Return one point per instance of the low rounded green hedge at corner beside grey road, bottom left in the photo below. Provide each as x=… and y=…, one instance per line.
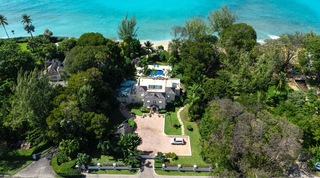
x=64, y=169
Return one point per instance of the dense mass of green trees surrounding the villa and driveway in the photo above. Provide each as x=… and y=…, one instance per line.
x=246, y=119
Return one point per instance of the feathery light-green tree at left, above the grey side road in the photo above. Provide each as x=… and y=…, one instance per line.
x=31, y=104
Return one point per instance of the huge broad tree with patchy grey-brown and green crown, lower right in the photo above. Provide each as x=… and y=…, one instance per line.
x=250, y=144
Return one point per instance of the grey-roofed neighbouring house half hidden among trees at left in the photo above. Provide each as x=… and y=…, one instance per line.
x=54, y=70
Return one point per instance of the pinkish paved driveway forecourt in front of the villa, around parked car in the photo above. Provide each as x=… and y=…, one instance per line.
x=151, y=131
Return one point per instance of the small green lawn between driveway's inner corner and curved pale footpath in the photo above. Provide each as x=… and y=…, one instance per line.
x=172, y=123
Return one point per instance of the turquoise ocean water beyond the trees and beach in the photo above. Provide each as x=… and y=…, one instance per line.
x=155, y=18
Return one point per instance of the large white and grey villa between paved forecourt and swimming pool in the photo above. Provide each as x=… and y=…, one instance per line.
x=156, y=90
